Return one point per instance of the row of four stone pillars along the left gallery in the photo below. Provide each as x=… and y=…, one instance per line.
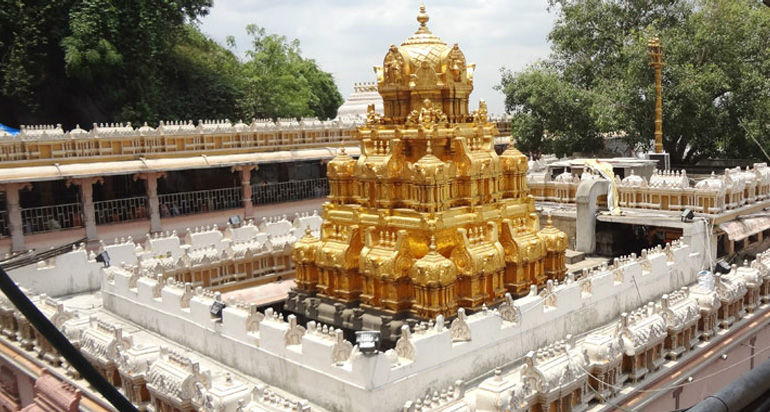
x=16, y=225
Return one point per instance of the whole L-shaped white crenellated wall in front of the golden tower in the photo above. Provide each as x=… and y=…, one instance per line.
x=432, y=357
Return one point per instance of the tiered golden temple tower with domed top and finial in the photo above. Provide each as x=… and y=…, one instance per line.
x=429, y=218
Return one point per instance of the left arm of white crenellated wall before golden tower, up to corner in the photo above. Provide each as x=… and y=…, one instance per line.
x=337, y=388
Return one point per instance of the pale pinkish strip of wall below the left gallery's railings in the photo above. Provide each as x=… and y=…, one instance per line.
x=138, y=230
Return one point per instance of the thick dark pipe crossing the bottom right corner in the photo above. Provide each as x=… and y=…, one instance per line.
x=738, y=394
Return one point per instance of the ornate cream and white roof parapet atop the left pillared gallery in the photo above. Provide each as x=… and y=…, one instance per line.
x=51, y=144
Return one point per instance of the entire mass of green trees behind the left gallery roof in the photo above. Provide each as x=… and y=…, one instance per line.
x=91, y=61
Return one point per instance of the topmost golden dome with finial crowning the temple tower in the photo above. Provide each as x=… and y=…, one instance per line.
x=424, y=67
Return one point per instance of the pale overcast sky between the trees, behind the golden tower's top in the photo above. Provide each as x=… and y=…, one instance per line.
x=348, y=37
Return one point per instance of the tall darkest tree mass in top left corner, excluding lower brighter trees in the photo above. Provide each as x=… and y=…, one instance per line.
x=85, y=61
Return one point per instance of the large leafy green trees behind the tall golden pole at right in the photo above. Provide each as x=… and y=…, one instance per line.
x=716, y=87
